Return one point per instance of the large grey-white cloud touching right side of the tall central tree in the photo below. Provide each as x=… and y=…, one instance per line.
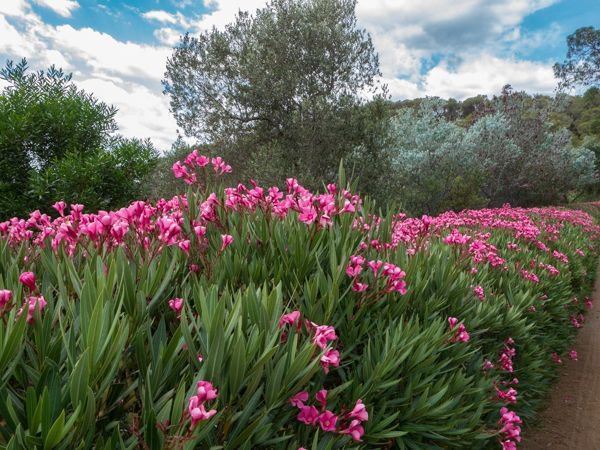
x=406, y=32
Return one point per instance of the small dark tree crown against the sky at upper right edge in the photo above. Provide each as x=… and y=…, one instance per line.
x=582, y=66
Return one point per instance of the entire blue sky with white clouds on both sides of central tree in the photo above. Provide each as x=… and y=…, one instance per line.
x=449, y=48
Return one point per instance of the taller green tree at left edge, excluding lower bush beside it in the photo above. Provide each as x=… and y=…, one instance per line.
x=43, y=116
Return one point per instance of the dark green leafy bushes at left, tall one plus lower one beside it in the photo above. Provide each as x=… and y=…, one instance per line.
x=57, y=142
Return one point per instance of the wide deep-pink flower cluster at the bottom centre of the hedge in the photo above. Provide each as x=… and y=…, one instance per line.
x=349, y=423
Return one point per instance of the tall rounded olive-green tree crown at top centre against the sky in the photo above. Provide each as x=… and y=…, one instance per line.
x=283, y=85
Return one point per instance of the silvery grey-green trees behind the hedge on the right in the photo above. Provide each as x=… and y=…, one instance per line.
x=509, y=154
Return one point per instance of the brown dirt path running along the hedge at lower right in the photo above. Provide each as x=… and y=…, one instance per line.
x=572, y=420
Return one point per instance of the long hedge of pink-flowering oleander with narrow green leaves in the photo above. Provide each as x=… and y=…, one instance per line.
x=280, y=318
